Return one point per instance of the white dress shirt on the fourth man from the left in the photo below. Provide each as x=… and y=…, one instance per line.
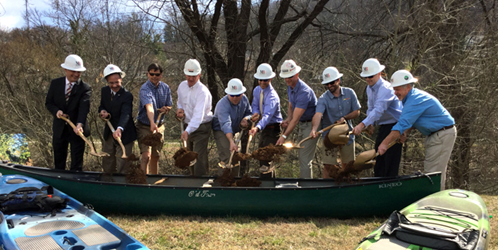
x=196, y=102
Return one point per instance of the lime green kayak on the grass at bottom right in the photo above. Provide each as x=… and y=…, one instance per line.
x=450, y=219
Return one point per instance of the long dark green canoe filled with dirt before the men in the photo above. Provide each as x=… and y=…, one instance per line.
x=185, y=195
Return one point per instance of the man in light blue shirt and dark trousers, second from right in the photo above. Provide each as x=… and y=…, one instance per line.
x=384, y=110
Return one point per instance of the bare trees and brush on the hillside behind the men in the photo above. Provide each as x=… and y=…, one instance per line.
x=450, y=45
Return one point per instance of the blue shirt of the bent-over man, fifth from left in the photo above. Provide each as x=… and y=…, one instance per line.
x=227, y=116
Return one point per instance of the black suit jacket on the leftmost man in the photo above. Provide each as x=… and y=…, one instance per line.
x=77, y=106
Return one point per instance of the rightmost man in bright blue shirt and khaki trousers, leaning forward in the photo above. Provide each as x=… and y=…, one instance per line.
x=425, y=113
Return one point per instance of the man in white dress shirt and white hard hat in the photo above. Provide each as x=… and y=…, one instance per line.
x=194, y=108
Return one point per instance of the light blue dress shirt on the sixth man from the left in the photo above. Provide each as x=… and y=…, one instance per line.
x=271, y=106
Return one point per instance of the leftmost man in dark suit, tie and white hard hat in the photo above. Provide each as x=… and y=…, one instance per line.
x=69, y=96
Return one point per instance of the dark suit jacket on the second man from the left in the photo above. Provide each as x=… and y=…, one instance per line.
x=120, y=108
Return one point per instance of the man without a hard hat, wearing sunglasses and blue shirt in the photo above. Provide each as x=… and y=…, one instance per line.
x=155, y=98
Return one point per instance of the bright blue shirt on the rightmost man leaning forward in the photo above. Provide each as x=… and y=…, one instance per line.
x=424, y=112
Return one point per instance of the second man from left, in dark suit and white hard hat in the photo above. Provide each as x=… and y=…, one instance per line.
x=117, y=102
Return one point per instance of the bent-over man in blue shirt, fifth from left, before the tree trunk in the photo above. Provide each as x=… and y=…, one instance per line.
x=230, y=114
